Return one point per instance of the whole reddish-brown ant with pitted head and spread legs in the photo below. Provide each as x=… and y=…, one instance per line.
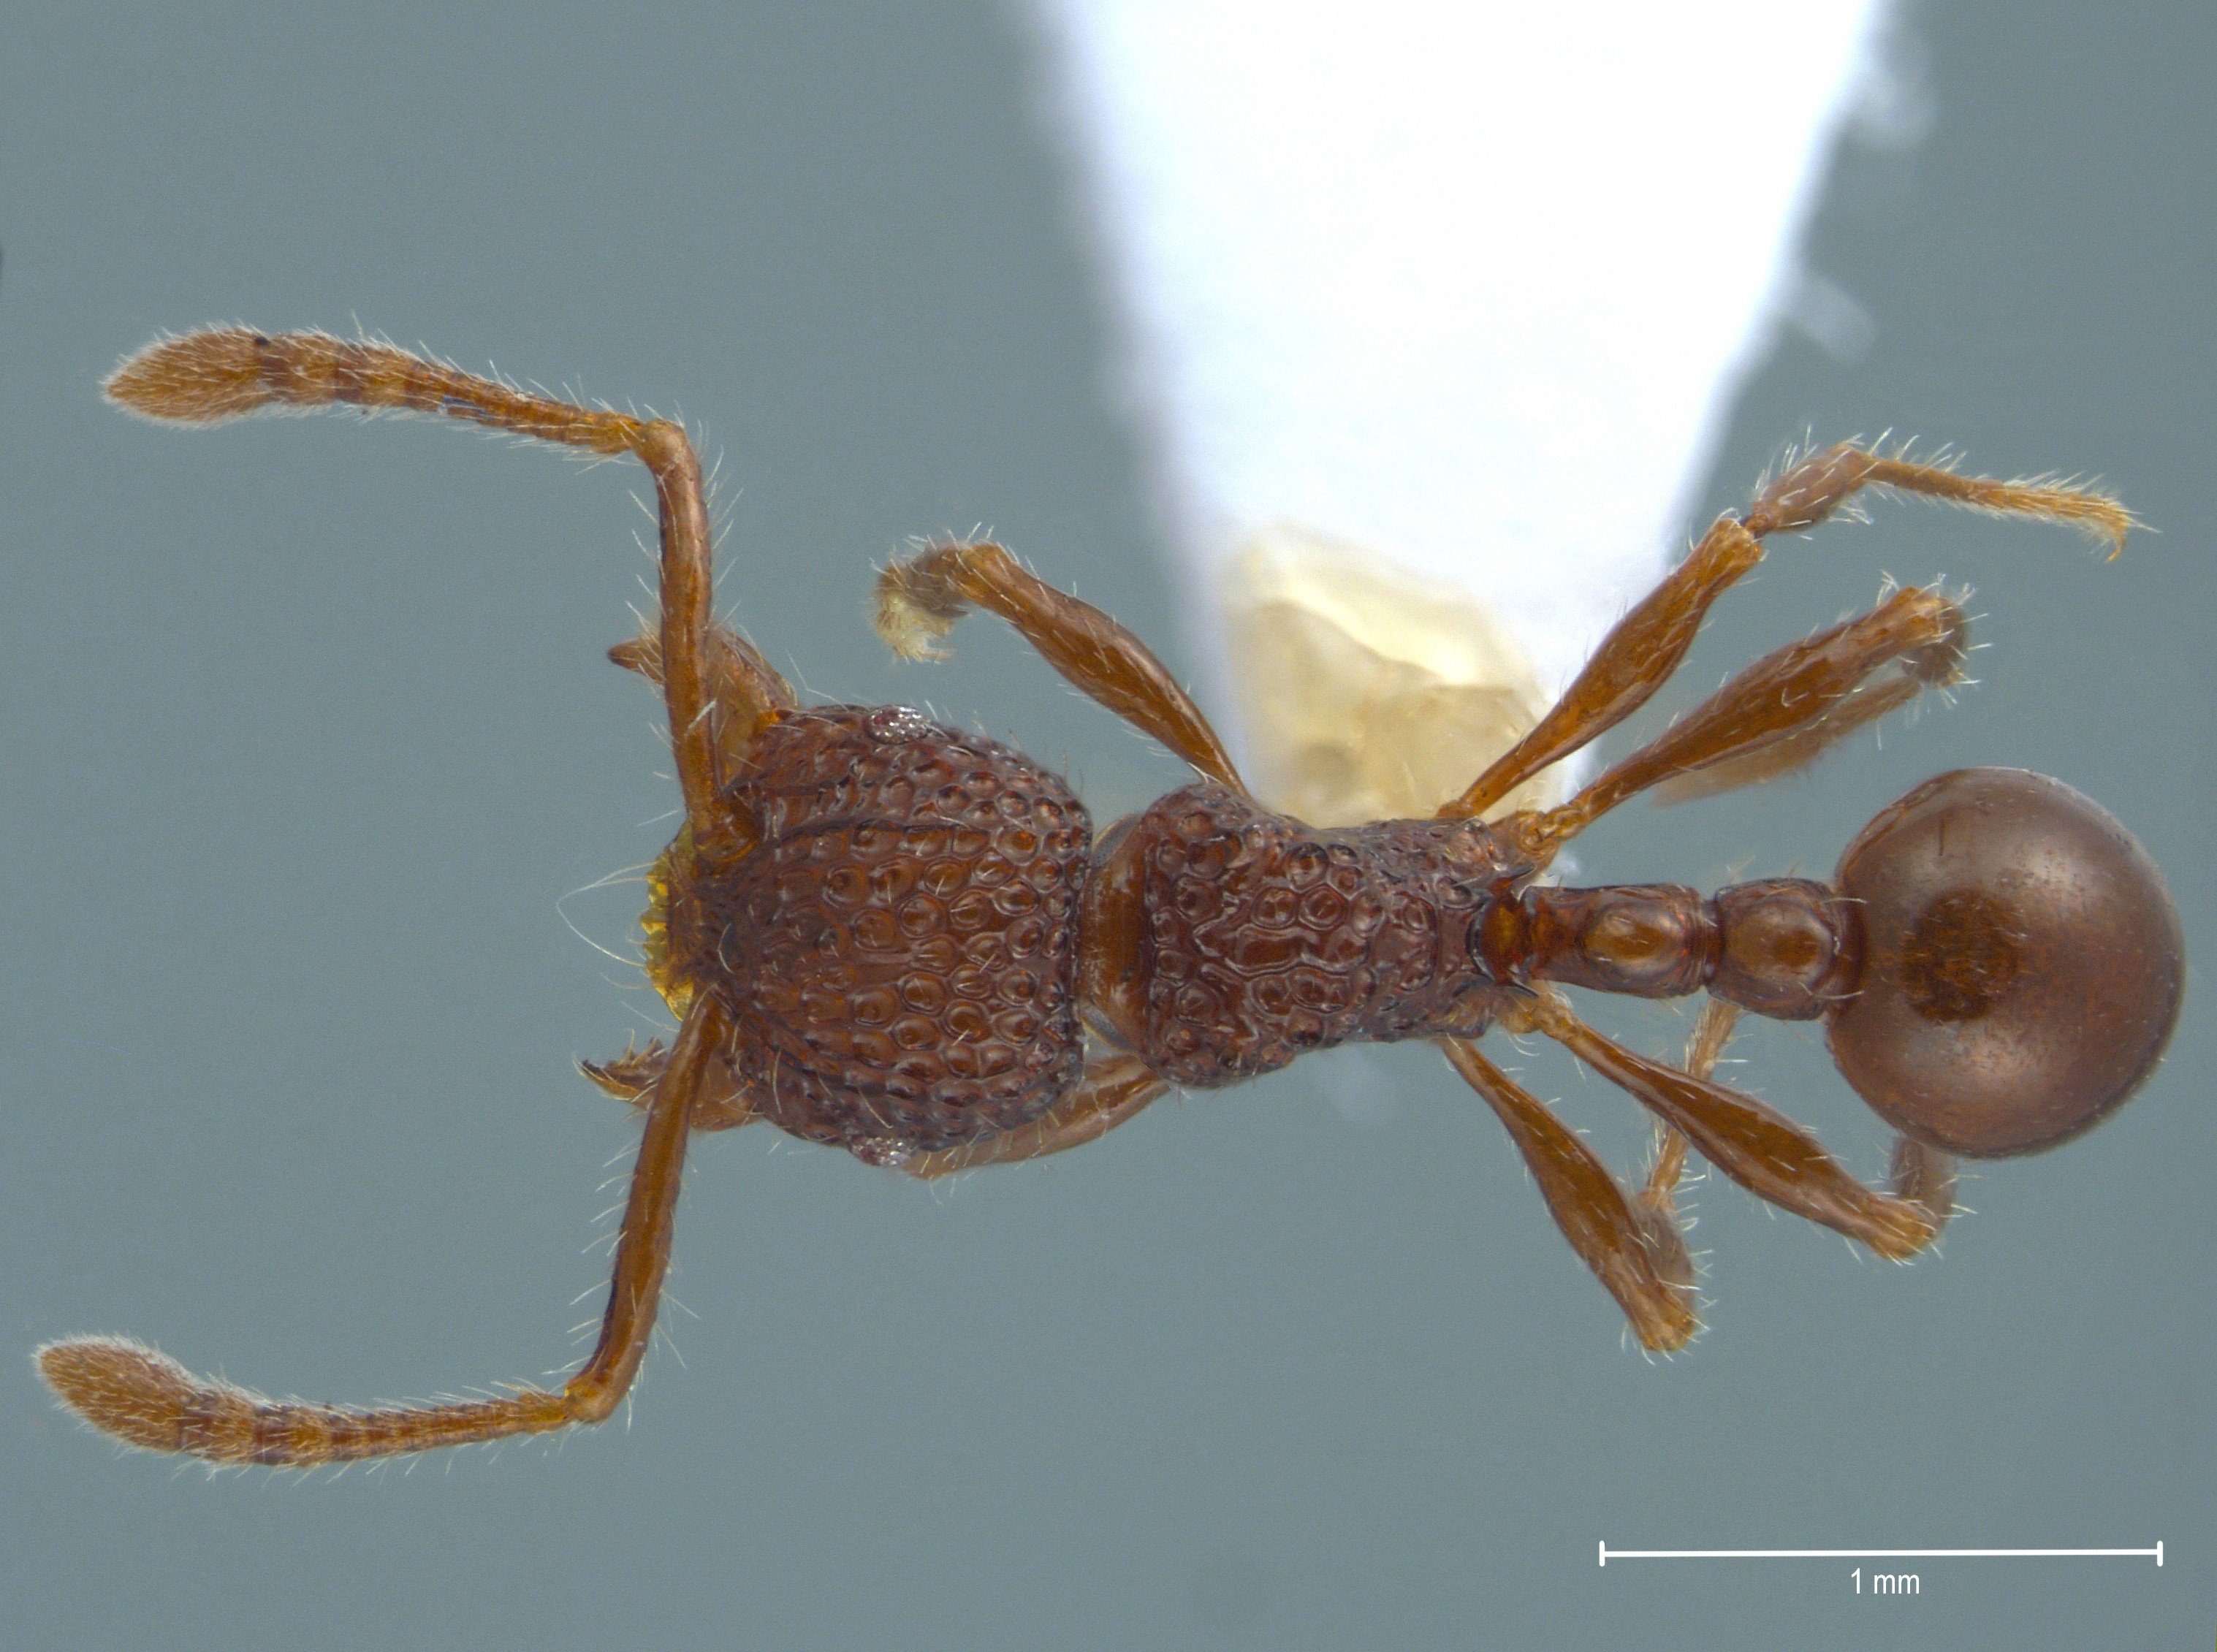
x=899, y=939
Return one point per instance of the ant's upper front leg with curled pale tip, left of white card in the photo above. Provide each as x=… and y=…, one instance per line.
x=921, y=600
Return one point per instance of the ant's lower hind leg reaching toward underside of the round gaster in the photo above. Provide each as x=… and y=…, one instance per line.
x=1755, y=1145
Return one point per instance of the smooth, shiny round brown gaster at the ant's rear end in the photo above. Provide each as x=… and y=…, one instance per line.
x=2023, y=963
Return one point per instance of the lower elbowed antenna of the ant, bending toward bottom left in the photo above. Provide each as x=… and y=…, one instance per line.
x=150, y=1400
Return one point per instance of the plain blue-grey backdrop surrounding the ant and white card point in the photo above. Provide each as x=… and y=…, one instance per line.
x=307, y=737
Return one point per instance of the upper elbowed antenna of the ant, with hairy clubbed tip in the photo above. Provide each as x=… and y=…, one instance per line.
x=227, y=374
